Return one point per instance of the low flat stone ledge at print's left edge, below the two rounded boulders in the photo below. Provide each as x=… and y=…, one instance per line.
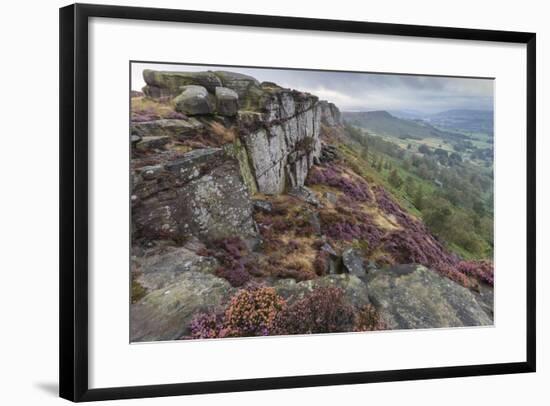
x=176, y=128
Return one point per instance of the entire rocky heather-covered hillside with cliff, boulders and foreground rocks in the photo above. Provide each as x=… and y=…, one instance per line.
x=251, y=216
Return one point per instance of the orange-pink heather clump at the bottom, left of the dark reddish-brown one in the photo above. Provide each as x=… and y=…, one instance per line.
x=252, y=312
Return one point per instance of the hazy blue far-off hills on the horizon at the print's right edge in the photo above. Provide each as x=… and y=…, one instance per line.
x=463, y=119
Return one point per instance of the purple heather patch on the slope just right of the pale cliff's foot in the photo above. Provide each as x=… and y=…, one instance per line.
x=331, y=175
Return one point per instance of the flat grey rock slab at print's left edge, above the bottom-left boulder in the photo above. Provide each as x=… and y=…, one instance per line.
x=156, y=271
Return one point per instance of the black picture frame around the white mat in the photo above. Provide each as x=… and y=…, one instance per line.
x=74, y=195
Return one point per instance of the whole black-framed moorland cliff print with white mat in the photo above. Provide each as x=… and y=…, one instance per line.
x=257, y=202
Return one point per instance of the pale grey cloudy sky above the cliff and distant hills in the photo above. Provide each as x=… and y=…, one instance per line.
x=363, y=91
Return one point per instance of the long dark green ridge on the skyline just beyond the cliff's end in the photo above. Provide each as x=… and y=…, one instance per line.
x=383, y=123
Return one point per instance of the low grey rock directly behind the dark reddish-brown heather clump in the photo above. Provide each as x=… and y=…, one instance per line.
x=354, y=288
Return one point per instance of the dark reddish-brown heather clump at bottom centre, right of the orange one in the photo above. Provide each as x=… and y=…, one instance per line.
x=325, y=310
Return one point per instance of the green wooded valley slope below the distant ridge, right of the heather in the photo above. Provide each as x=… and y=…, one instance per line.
x=452, y=195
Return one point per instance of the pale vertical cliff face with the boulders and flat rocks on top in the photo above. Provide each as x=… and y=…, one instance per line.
x=279, y=127
